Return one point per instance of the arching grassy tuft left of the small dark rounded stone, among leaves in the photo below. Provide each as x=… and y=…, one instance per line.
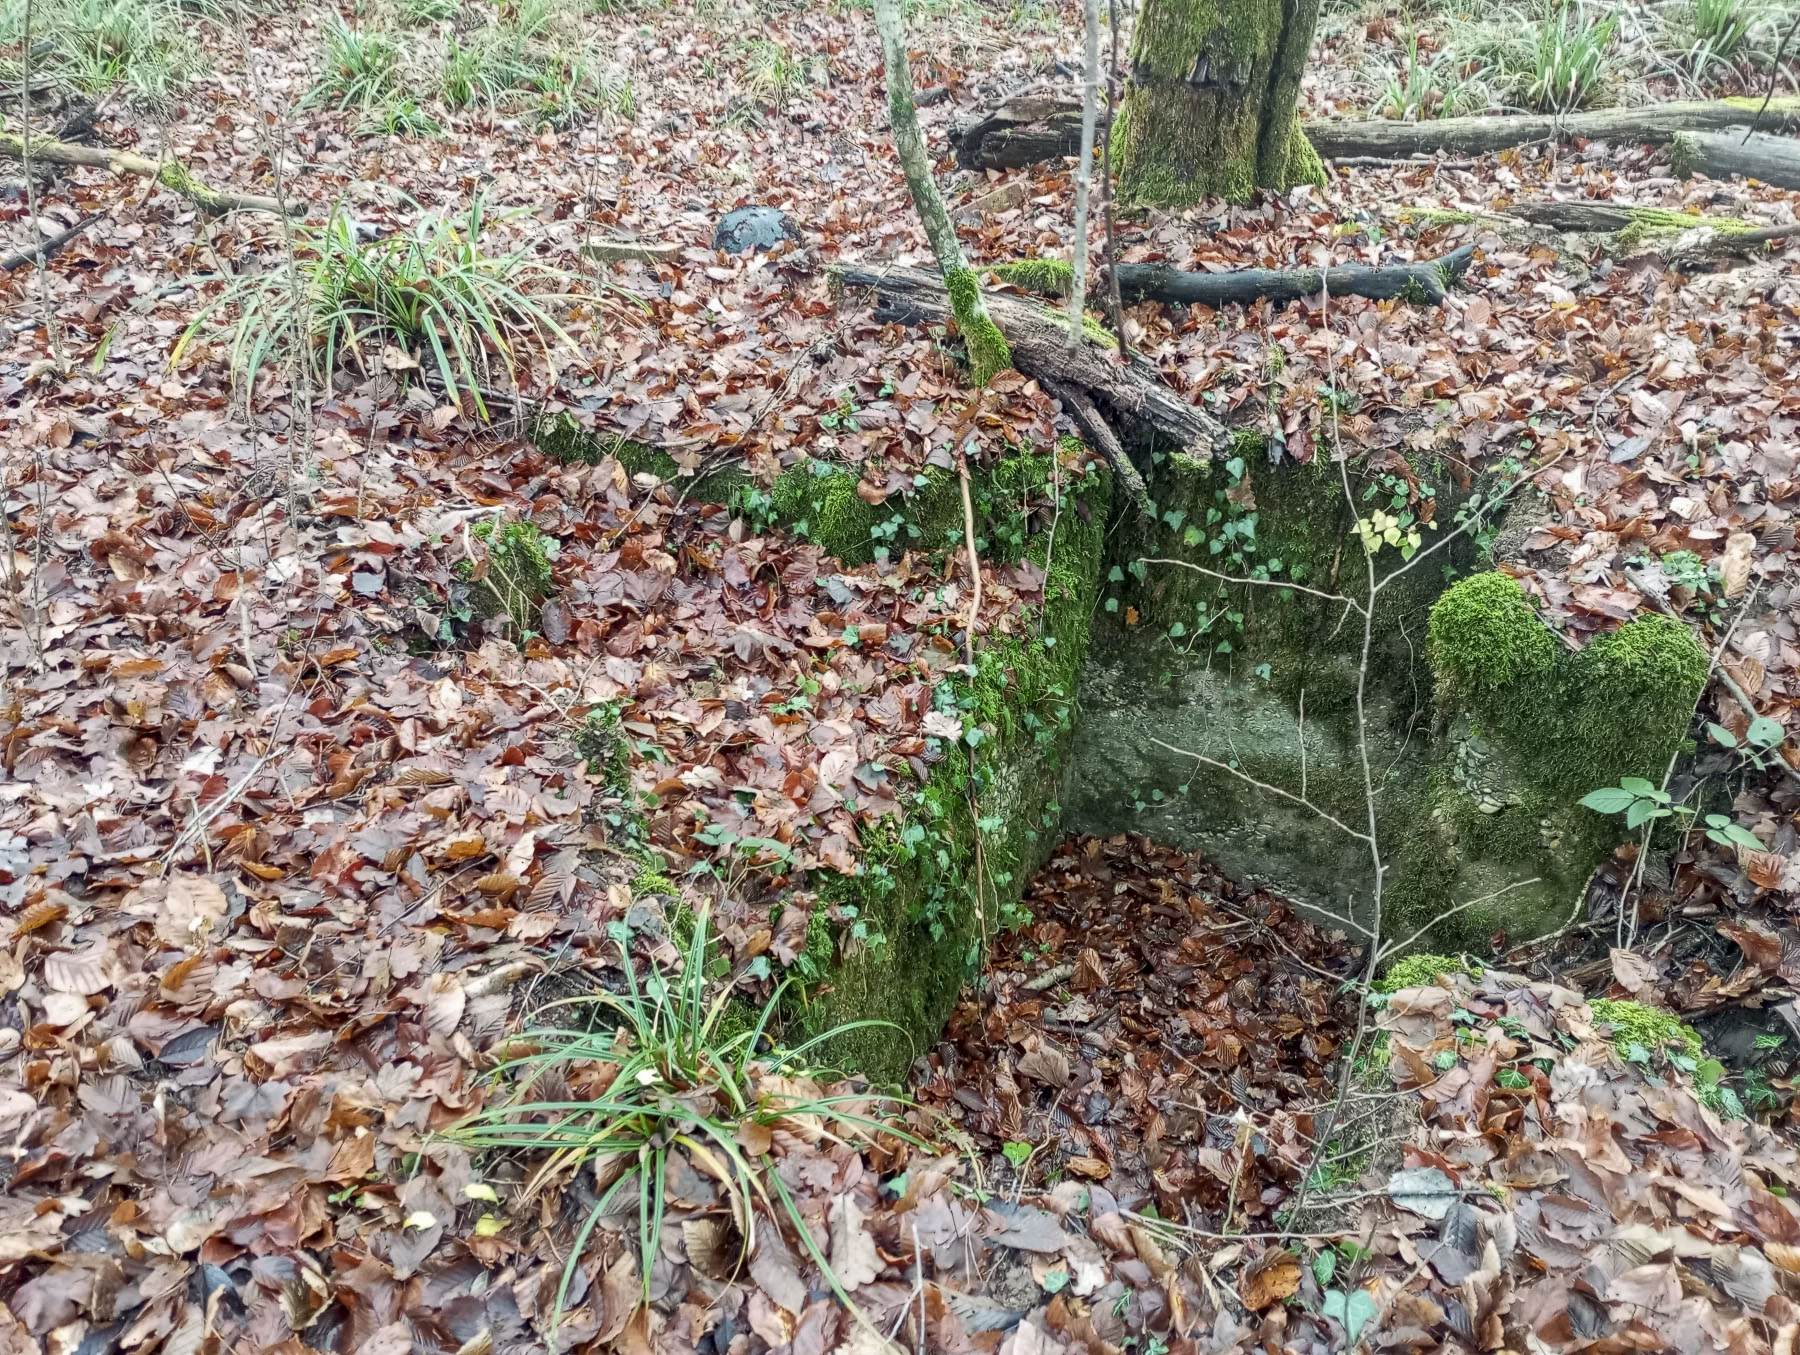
x=431, y=291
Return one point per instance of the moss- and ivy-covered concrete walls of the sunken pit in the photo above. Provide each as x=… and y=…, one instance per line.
x=1484, y=731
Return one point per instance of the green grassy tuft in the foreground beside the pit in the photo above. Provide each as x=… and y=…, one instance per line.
x=661, y=1075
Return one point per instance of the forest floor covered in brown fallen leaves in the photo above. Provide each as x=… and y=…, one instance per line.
x=278, y=892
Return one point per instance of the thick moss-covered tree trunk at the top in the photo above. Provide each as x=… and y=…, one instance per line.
x=1210, y=109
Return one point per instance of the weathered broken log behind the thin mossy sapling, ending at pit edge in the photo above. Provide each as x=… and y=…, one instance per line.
x=1129, y=395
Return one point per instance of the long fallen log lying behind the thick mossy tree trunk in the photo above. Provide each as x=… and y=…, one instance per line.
x=1030, y=130
